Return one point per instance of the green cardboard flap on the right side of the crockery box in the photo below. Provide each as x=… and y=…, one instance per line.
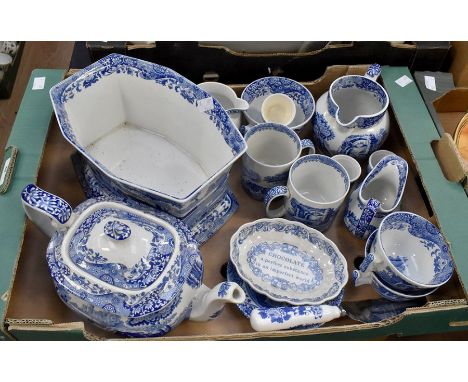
x=448, y=199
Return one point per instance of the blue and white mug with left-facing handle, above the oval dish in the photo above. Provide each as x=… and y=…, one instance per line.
x=317, y=186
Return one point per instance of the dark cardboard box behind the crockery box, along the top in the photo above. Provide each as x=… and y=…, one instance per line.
x=200, y=61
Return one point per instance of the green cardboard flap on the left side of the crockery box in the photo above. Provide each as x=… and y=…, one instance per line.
x=28, y=136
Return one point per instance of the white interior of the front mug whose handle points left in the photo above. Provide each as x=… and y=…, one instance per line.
x=319, y=179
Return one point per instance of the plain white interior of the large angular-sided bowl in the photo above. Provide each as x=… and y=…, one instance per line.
x=145, y=133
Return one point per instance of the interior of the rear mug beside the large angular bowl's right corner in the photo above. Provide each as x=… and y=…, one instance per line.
x=272, y=145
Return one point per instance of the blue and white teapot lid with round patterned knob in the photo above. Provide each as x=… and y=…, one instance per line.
x=120, y=246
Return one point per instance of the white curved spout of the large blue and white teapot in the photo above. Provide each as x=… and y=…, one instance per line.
x=209, y=303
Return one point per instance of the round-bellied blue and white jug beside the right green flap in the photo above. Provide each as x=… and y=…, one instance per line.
x=352, y=118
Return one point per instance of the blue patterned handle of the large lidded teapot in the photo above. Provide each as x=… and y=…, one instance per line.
x=49, y=212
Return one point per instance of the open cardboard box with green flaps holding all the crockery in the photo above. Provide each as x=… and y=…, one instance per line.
x=32, y=310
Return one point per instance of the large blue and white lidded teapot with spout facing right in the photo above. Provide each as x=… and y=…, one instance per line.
x=136, y=271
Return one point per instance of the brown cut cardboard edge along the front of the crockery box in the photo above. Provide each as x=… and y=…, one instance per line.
x=48, y=325
